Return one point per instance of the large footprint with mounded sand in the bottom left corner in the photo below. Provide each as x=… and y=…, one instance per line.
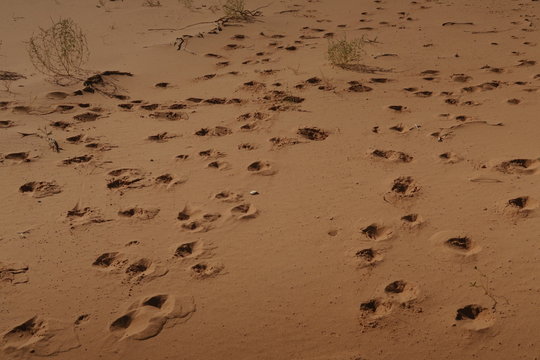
x=39, y=337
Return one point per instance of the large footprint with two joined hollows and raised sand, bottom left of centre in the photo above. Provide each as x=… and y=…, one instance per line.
x=147, y=317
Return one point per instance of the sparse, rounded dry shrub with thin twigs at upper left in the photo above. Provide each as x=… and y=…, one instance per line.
x=59, y=51
